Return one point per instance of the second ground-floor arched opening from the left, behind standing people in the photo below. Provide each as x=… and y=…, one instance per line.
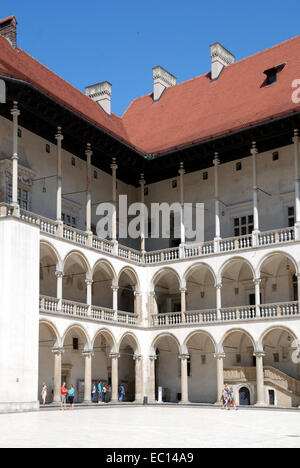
x=73, y=364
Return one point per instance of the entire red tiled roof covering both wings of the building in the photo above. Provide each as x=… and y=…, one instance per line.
x=190, y=112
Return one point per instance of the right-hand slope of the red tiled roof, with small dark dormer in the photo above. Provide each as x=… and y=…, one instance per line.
x=199, y=109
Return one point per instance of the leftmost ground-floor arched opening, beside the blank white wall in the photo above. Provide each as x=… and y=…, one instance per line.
x=47, y=340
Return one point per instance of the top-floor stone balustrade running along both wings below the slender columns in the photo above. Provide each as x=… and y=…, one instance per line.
x=277, y=236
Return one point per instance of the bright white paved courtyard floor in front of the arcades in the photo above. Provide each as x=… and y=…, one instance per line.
x=158, y=427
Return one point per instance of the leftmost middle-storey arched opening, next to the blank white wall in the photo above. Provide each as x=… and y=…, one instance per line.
x=48, y=266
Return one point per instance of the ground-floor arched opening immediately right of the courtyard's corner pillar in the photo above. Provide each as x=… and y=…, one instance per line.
x=167, y=369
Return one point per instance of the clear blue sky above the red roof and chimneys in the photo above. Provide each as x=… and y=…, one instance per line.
x=121, y=40
